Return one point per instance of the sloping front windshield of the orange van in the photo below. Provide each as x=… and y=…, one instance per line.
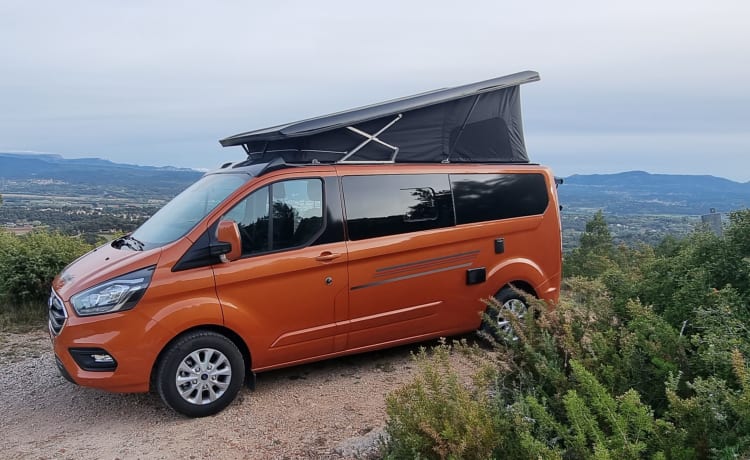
x=188, y=208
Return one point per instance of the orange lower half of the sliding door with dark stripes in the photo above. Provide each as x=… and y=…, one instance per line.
x=402, y=286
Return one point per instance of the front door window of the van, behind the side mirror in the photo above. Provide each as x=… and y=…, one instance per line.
x=296, y=216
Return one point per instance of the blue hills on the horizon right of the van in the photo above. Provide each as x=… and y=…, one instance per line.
x=638, y=192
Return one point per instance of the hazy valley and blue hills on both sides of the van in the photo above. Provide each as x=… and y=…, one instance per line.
x=95, y=198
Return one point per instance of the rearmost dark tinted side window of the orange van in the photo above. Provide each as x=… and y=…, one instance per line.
x=483, y=197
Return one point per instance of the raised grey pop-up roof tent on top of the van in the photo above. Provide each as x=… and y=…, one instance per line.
x=478, y=122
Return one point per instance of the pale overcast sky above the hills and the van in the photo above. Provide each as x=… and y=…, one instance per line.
x=661, y=86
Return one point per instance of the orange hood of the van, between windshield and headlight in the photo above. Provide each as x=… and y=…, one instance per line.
x=99, y=265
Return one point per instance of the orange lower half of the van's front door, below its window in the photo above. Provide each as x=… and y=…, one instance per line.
x=281, y=303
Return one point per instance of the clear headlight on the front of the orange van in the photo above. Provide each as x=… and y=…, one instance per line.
x=118, y=294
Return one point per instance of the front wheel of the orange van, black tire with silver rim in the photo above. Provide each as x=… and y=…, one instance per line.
x=200, y=374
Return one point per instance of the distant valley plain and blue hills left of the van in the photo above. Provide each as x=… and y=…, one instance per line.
x=89, y=197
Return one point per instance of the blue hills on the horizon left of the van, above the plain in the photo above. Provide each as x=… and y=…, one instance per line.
x=52, y=174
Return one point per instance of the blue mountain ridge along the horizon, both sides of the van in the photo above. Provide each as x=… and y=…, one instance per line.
x=627, y=192
